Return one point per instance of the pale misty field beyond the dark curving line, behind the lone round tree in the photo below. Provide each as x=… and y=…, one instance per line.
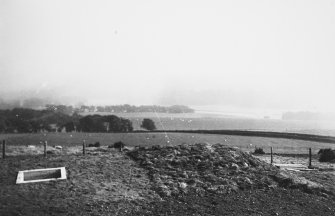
x=199, y=121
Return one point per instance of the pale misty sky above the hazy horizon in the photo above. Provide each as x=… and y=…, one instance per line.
x=244, y=54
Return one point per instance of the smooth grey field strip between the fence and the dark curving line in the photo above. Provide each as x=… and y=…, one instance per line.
x=284, y=146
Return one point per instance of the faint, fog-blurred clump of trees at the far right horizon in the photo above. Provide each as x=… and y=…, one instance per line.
x=309, y=116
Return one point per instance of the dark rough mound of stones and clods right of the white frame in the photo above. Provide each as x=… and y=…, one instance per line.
x=200, y=168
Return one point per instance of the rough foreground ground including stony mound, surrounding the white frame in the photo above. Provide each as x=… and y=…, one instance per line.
x=186, y=179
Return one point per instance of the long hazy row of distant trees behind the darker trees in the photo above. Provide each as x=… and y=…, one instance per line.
x=126, y=108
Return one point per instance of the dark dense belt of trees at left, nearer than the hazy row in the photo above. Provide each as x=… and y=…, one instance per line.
x=20, y=120
